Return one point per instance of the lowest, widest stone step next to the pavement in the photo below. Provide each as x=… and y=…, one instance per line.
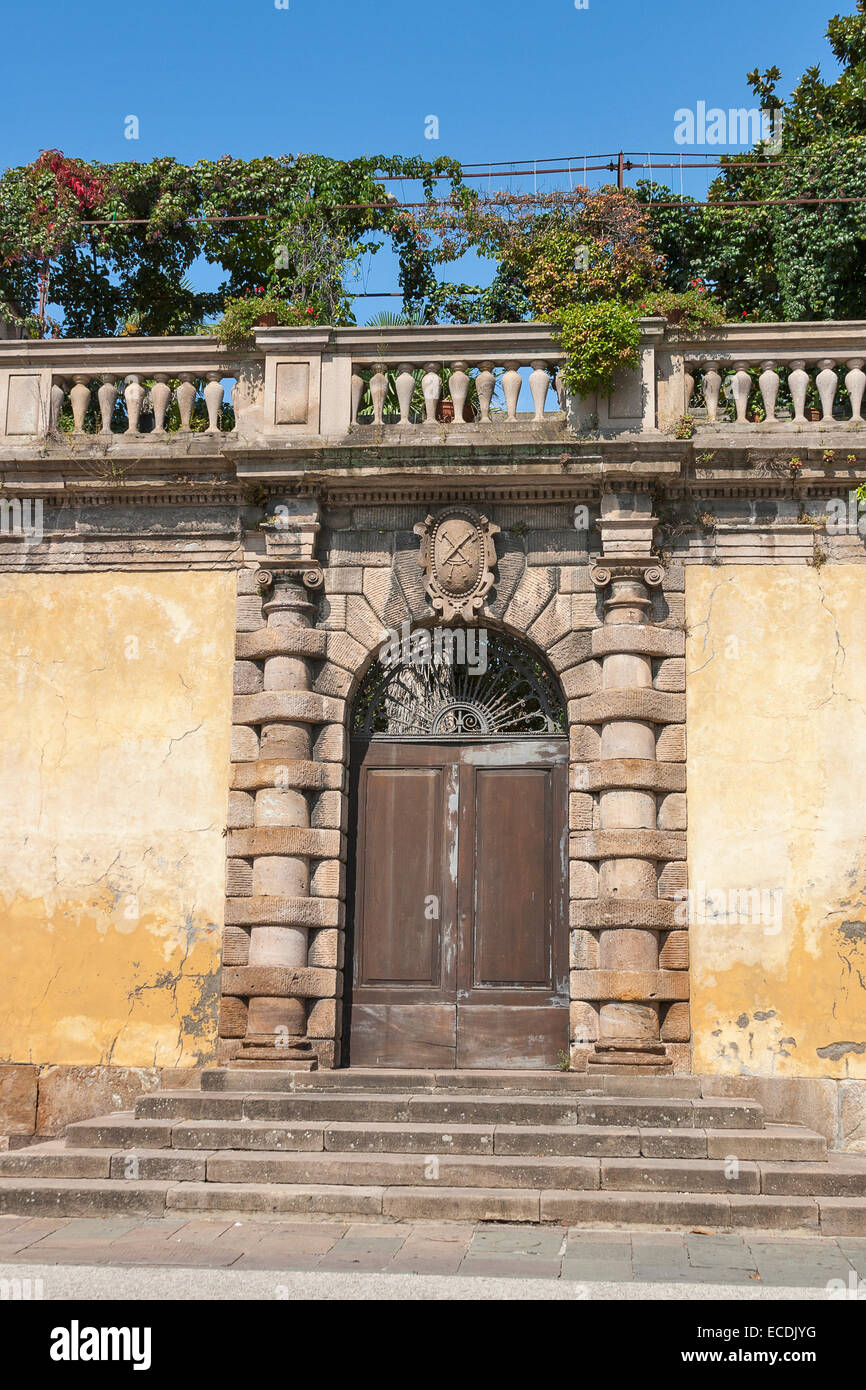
x=671, y=1211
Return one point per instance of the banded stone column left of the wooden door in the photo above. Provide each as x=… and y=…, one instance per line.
x=275, y=833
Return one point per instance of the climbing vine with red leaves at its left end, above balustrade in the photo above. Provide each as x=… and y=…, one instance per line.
x=105, y=250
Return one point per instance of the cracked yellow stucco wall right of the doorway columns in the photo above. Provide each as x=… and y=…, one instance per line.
x=776, y=665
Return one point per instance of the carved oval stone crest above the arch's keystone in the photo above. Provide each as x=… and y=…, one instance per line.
x=458, y=559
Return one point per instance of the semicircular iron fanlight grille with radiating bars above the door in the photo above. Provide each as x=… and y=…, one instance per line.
x=441, y=698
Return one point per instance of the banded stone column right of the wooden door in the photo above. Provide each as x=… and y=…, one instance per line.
x=629, y=986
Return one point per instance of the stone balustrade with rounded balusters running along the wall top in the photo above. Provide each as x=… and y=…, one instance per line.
x=457, y=383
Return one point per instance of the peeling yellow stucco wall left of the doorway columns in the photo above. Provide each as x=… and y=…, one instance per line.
x=115, y=750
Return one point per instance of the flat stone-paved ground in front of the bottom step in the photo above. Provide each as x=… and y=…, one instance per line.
x=484, y=1250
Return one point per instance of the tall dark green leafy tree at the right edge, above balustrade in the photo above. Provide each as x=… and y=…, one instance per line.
x=792, y=256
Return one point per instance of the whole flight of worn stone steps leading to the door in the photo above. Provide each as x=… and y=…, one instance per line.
x=447, y=1146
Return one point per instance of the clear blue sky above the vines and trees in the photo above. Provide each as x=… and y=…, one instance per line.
x=505, y=80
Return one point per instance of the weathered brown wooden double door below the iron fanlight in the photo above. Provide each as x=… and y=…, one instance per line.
x=458, y=911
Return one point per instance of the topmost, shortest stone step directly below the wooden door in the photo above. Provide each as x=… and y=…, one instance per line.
x=373, y=1081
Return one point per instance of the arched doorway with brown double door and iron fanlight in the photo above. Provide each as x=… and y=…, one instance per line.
x=458, y=903
